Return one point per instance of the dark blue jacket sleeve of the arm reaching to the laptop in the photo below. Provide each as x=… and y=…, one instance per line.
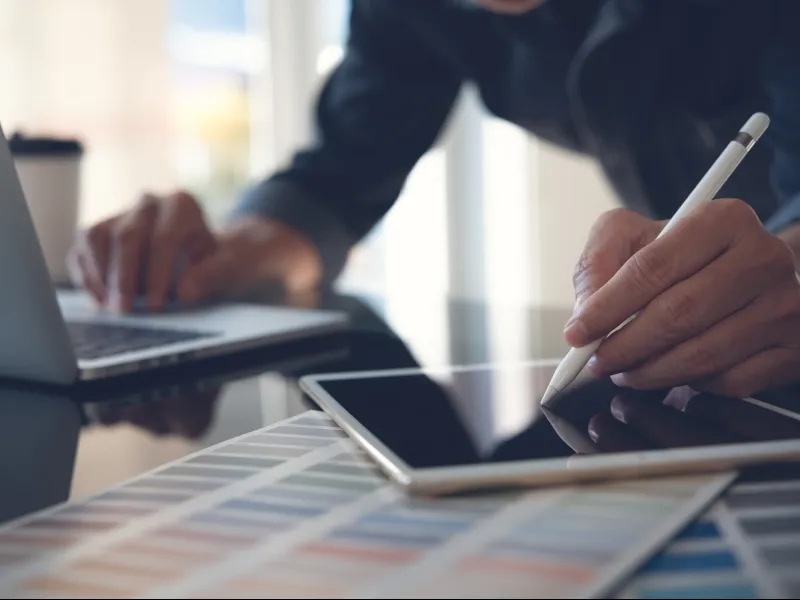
x=378, y=113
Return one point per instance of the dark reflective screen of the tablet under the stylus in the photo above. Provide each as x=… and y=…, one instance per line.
x=474, y=415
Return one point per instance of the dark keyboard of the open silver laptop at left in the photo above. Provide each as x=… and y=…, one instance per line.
x=101, y=340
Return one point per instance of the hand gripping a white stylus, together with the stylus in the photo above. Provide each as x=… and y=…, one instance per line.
x=715, y=297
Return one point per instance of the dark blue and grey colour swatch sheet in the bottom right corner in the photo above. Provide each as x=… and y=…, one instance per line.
x=748, y=546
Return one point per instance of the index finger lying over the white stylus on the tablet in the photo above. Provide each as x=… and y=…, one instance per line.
x=692, y=244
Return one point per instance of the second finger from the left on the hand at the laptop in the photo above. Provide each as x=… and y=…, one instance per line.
x=130, y=238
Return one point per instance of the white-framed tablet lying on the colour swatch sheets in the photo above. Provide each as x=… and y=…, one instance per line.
x=453, y=429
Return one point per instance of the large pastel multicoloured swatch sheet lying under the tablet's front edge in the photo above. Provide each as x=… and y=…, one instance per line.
x=295, y=510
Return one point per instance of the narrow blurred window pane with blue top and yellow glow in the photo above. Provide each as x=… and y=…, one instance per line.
x=213, y=57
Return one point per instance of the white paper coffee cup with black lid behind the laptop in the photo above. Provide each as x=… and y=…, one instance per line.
x=49, y=171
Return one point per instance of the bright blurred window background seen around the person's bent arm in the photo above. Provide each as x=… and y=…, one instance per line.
x=209, y=95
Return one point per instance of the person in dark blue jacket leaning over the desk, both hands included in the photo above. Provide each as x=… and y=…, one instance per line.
x=652, y=90
